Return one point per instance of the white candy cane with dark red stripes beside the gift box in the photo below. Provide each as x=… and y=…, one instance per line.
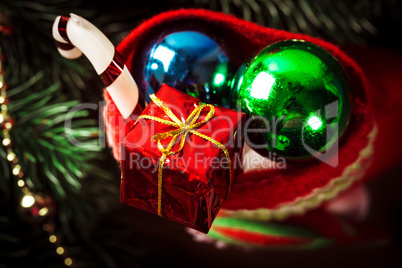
x=75, y=36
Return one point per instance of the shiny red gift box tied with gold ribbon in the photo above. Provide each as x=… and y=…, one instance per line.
x=180, y=157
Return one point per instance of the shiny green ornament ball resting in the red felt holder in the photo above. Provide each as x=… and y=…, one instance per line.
x=297, y=97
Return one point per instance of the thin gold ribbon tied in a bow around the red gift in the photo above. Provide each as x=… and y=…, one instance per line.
x=189, y=126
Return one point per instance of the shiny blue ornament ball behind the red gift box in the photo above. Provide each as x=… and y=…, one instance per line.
x=191, y=62
